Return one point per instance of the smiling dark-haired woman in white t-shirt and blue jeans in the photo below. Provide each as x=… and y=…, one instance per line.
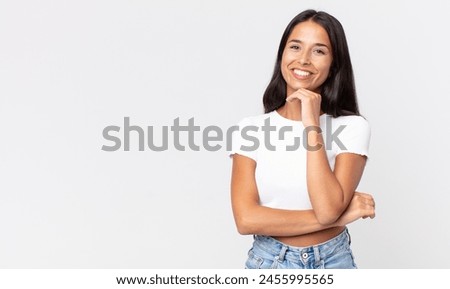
x=296, y=167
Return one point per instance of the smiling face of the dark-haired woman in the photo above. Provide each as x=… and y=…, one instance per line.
x=307, y=58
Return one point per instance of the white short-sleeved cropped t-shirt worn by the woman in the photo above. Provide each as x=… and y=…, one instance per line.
x=280, y=153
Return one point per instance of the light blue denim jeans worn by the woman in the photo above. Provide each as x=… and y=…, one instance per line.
x=269, y=253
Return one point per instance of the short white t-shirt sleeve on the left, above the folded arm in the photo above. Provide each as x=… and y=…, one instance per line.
x=244, y=140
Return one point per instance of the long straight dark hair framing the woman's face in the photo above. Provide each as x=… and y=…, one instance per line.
x=338, y=91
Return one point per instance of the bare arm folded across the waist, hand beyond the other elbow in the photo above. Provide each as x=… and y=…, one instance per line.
x=252, y=218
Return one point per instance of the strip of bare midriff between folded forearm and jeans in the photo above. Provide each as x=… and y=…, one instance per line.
x=311, y=239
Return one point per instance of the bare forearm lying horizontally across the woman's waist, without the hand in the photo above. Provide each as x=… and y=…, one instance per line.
x=260, y=220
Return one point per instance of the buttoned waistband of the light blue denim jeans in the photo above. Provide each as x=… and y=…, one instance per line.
x=313, y=253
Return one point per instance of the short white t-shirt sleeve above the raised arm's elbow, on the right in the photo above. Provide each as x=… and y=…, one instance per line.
x=355, y=137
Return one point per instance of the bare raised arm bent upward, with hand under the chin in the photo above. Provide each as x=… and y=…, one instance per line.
x=330, y=191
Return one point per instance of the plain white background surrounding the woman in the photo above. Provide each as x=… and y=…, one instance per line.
x=70, y=68
